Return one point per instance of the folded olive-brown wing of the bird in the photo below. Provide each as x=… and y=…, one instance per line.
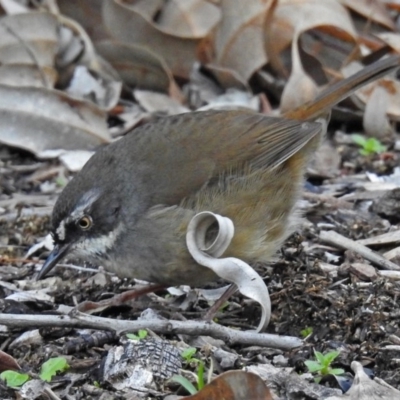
x=175, y=156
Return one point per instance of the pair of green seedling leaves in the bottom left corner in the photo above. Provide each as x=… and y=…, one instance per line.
x=47, y=371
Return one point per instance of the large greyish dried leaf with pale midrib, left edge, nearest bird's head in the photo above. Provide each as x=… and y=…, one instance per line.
x=37, y=119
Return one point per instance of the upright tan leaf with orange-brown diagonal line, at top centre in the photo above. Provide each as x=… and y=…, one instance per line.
x=239, y=37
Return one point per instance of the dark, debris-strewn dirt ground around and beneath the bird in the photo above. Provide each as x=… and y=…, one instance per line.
x=346, y=311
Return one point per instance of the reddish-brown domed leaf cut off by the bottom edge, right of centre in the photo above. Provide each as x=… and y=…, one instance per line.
x=234, y=385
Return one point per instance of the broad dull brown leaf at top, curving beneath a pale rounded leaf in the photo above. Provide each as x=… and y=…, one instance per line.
x=133, y=24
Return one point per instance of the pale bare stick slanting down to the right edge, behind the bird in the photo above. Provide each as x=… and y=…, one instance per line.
x=336, y=239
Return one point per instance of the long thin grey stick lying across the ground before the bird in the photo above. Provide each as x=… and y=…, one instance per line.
x=194, y=328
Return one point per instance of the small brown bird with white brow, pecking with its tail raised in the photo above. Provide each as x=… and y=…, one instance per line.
x=129, y=207
